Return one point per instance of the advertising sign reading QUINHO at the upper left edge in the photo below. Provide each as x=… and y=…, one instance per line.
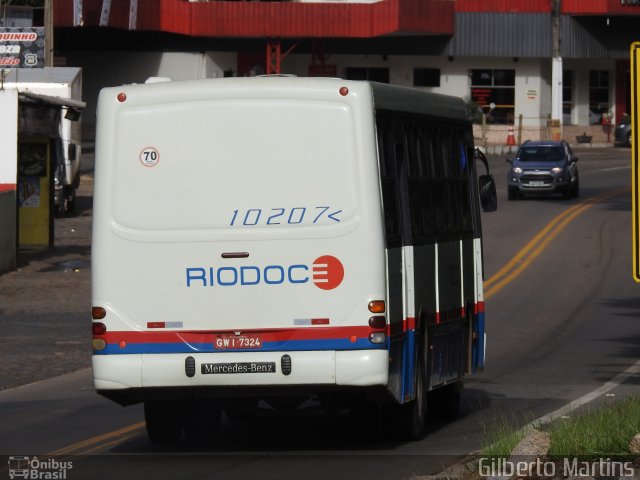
x=22, y=47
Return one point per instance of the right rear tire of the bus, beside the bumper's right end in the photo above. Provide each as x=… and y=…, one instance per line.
x=413, y=415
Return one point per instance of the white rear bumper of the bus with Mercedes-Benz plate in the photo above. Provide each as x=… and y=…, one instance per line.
x=350, y=368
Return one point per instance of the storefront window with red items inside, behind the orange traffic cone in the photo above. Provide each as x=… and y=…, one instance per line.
x=494, y=92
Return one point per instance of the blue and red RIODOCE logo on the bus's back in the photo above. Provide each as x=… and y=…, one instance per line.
x=325, y=272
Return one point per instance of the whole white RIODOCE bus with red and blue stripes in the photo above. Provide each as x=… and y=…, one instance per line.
x=279, y=238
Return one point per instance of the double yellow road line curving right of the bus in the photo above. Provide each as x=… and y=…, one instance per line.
x=514, y=267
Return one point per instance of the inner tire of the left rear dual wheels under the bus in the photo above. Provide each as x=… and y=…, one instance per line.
x=201, y=421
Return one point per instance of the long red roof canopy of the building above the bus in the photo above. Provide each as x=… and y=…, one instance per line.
x=271, y=19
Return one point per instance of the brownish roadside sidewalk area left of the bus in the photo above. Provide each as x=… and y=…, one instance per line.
x=45, y=303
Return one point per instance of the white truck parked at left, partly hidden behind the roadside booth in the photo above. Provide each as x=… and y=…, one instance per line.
x=65, y=83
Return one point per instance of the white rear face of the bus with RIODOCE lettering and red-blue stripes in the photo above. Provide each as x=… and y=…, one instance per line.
x=237, y=240
